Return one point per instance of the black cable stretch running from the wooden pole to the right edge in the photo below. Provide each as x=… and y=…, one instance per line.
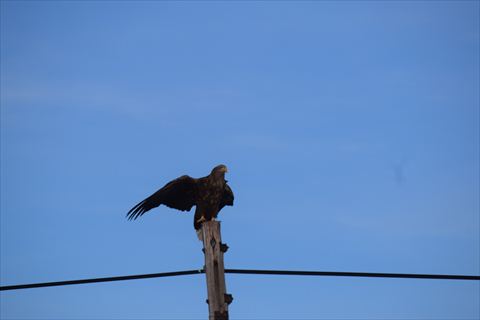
x=354, y=274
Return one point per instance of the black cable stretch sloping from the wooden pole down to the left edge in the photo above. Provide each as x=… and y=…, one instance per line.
x=107, y=279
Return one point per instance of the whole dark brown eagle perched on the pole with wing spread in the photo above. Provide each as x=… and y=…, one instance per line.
x=209, y=194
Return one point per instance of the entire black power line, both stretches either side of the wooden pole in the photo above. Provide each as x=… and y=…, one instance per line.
x=245, y=271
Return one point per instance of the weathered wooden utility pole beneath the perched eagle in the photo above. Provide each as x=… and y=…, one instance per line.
x=213, y=248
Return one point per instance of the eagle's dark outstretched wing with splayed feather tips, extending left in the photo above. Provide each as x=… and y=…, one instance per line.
x=180, y=194
